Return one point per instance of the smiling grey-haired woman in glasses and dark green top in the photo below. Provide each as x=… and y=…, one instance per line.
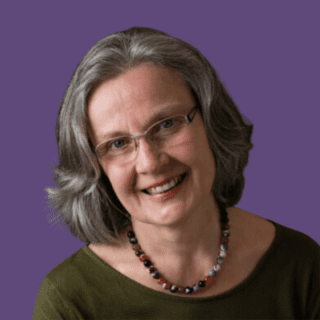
x=152, y=153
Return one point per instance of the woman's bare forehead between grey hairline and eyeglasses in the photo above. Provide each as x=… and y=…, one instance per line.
x=129, y=101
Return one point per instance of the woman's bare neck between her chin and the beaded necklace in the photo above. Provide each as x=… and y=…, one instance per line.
x=183, y=252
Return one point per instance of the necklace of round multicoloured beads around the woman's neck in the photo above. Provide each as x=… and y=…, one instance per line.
x=208, y=279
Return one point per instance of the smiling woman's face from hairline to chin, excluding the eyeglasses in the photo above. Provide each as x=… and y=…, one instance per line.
x=130, y=104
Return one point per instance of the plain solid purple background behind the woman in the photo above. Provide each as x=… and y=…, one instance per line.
x=266, y=53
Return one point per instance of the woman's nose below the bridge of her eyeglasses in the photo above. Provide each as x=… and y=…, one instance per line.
x=149, y=159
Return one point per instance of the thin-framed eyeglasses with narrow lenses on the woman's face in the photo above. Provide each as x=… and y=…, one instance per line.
x=170, y=131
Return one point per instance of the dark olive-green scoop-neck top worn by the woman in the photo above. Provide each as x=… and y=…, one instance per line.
x=284, y=285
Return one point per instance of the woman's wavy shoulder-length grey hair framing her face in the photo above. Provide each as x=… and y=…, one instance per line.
x=84, y=199
